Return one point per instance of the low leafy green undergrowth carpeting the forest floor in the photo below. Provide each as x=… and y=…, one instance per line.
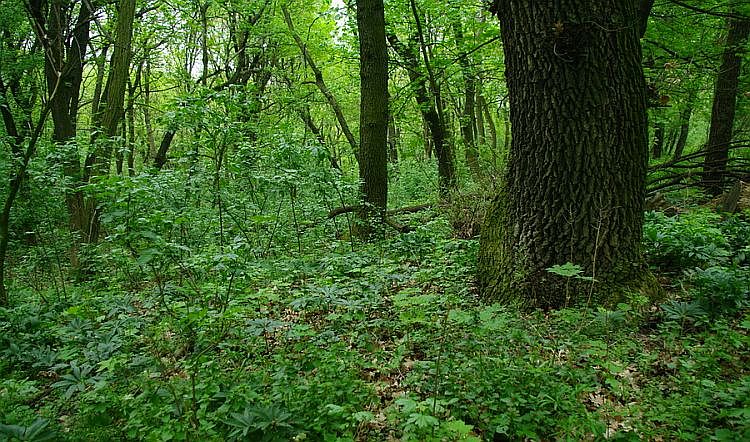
x=384, y=342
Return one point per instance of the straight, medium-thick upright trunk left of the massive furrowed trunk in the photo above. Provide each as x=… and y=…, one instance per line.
x=373, y=122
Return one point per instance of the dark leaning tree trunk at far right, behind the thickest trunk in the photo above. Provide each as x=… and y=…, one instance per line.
x=724, y=106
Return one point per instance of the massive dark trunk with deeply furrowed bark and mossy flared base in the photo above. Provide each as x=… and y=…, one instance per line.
x=575, y=184
